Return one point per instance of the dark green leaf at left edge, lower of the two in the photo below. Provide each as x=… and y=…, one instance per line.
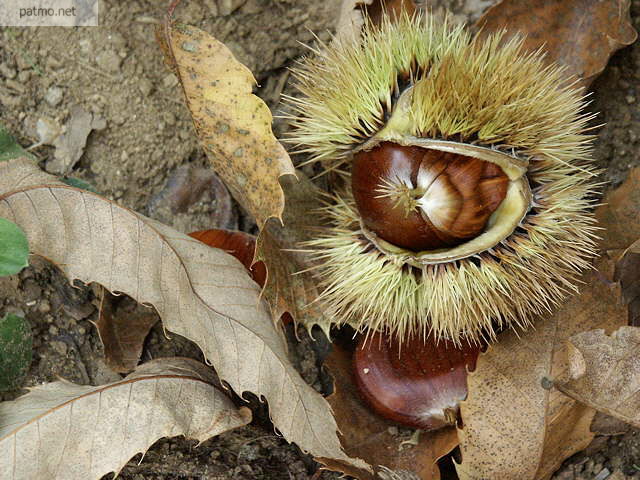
x=16, y=341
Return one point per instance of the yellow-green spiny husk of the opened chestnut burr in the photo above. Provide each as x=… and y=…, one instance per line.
x=487, y=92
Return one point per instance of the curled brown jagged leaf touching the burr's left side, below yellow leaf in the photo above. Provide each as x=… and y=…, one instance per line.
x=290, y=287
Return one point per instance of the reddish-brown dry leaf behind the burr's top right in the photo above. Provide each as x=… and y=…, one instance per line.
x=578, y=34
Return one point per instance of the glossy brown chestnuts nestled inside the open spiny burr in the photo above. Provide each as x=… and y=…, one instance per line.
x=423, y=199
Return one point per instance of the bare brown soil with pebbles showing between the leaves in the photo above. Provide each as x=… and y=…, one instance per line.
x=143, y=153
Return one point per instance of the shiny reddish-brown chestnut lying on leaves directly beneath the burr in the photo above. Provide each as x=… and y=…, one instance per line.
x=419, y=383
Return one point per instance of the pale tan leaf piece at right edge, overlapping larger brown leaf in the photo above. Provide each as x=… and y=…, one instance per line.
x=604, y=372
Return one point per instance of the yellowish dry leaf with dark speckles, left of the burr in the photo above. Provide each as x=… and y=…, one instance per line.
x=233, y=125
